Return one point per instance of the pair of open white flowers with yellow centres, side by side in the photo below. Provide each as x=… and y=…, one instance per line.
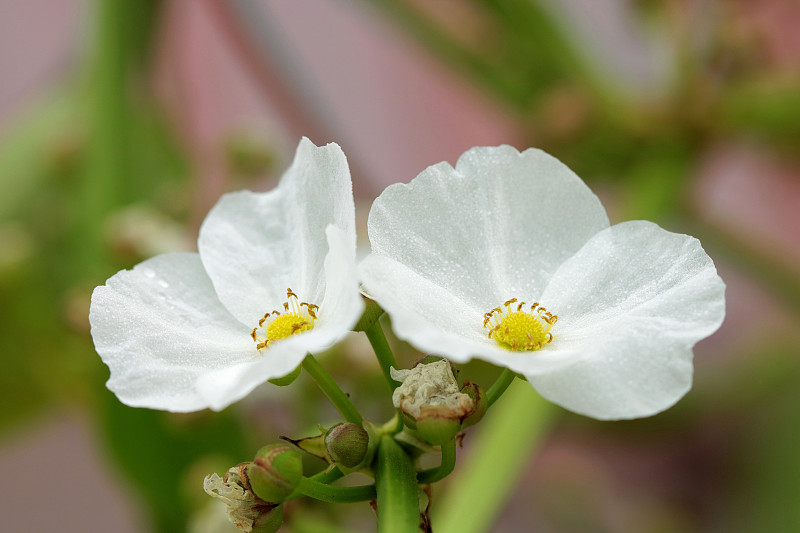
x=507, y=257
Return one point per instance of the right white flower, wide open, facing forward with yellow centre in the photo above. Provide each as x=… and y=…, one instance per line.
x=453, y=248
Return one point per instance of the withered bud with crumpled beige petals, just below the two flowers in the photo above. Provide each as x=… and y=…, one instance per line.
x=429, y=398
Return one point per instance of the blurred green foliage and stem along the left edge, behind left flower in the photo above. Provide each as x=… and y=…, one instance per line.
x=90, y=149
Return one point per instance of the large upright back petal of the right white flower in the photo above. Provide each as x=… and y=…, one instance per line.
x=496, y=226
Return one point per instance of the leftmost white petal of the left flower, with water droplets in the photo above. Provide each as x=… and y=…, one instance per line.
x=159, y=327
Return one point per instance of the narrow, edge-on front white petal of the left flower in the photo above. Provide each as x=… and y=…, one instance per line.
x=340, y=309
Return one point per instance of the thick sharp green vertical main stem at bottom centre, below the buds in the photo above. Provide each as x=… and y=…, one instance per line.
x=396, y=482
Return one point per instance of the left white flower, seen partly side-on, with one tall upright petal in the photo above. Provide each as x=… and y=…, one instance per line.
x=177, y=331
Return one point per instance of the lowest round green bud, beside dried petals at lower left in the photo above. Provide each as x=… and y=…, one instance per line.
x=275, y=472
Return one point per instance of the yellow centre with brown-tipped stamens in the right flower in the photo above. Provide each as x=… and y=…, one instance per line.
x=518, y=329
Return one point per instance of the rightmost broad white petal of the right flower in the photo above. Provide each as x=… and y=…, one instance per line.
x=631, y=304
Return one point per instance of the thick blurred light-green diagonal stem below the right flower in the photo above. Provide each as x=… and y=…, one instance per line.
x=508, y=437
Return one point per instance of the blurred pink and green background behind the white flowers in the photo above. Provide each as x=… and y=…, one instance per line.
x=122, y=122
